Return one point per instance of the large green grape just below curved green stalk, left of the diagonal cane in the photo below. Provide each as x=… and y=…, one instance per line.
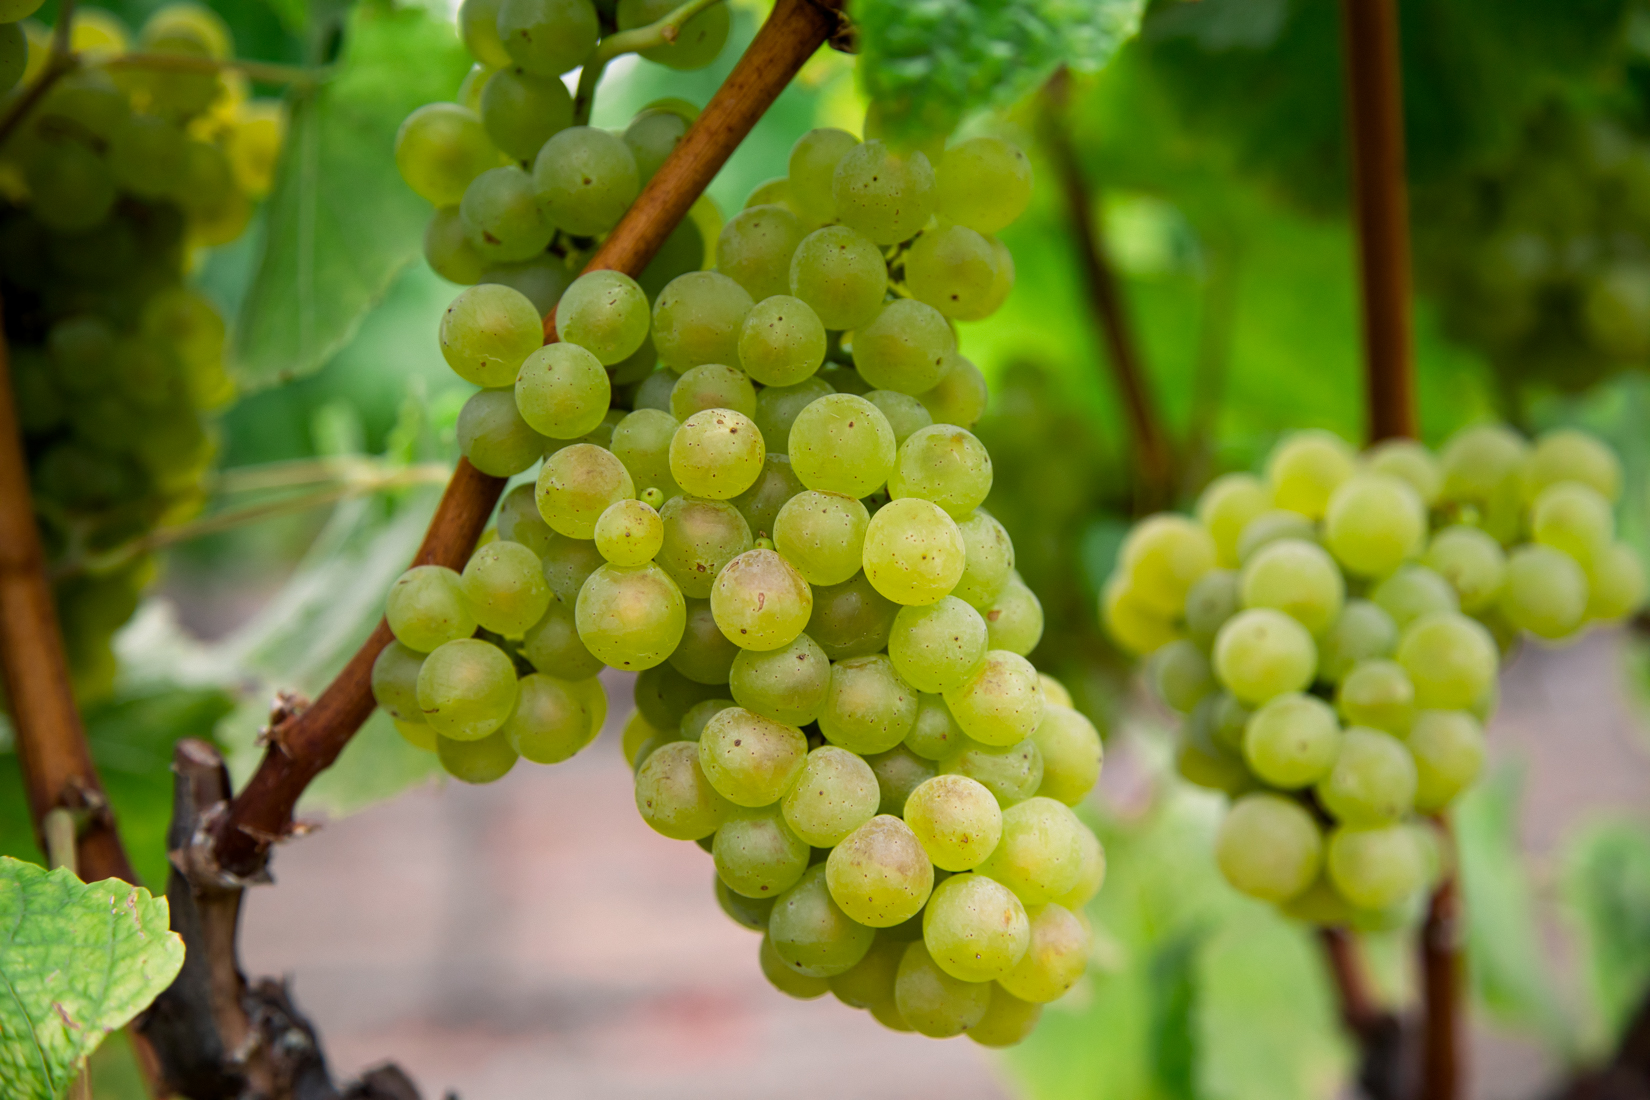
x=585, y=177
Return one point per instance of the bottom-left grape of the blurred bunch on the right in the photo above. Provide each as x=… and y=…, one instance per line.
x=1270, y=849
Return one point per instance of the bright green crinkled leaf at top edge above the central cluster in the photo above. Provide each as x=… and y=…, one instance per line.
x=926, y=63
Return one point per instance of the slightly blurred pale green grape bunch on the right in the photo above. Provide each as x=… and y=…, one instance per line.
x=1332, y=634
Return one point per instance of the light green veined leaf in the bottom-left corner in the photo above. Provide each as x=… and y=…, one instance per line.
x=77, y=961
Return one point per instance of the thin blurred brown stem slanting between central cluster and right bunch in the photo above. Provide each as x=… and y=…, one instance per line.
x=1154, y=458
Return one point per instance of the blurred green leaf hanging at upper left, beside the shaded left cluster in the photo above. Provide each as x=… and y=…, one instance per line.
x=341, y=222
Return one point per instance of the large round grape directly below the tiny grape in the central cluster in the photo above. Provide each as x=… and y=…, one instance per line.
x=631, y=618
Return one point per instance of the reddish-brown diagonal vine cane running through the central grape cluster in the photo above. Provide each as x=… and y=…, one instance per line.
x=308, y=745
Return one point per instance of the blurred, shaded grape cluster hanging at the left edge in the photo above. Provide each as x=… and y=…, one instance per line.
x=111, y=186
